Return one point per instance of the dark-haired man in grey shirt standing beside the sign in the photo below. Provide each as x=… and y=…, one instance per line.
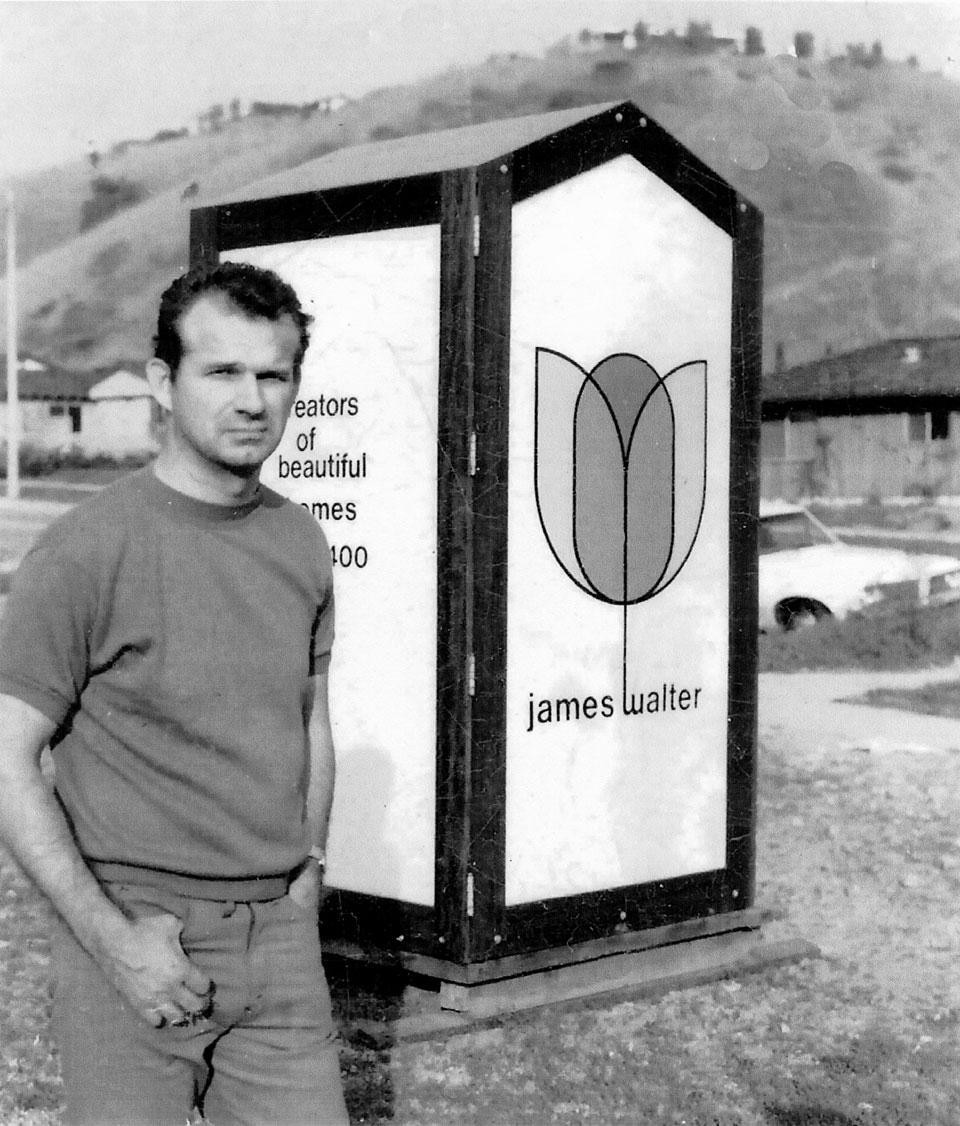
x=171, y=641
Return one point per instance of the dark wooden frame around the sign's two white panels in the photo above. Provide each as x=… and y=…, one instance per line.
x=470, y=931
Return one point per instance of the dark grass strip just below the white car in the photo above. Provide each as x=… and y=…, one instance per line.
x=909, y=639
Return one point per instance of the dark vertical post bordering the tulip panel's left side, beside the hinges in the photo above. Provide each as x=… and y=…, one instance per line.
x=488, y=792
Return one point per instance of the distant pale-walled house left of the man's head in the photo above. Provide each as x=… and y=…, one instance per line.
x=109, y=412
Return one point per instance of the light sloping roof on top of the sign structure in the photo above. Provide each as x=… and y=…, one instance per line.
x=418, y=155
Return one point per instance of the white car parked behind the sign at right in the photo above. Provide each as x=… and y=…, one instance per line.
x=808, y=573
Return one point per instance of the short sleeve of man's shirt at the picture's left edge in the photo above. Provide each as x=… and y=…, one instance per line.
x=47, y=628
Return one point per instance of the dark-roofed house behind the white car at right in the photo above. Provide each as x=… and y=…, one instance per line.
x=883, y=421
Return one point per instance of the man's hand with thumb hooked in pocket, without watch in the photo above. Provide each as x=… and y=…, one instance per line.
x=152, y=973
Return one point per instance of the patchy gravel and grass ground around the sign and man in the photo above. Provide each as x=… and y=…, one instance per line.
x=858, y=848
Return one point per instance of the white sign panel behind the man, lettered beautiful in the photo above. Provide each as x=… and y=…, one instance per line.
x=361, y=454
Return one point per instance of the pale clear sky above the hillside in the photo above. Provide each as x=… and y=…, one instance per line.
x=82, y=75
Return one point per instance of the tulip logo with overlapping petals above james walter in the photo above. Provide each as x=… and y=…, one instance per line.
x=621, y=472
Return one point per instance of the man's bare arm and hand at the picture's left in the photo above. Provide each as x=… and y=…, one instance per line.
x=142, y=959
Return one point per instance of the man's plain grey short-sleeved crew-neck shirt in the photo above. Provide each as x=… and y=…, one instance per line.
x=174, y=642
